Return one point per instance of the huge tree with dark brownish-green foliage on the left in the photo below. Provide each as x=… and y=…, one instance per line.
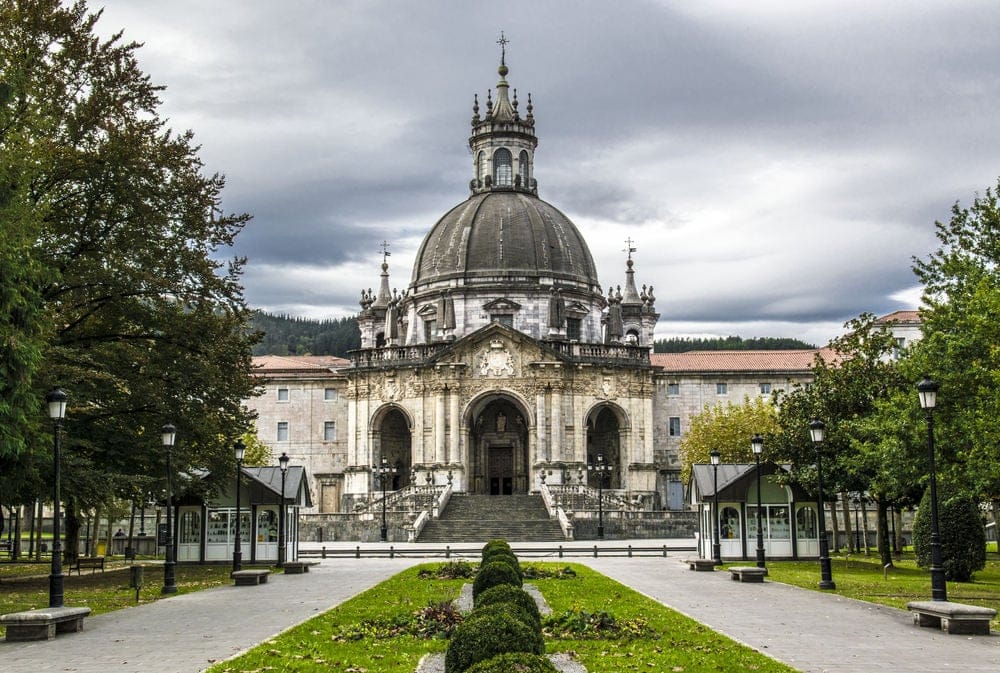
x=144, y=324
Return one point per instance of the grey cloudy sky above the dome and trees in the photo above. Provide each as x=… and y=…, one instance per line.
x=778, y=164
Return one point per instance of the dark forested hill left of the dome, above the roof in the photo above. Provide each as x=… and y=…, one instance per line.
x=285, y=335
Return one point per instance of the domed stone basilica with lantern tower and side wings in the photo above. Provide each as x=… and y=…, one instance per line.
x=504, y=364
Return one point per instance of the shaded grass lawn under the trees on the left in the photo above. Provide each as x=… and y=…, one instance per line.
x=25, y=586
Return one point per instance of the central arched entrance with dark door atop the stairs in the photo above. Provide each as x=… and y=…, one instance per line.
x=498, y=455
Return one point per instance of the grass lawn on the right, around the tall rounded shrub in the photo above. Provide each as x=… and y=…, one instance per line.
x=862, y=577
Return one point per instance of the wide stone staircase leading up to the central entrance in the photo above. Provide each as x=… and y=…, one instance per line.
x=480, y=518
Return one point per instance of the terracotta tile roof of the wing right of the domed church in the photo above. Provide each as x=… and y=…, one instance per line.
x=740, y=361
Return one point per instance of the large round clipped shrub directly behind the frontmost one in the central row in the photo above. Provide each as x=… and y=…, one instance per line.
x=487, y=635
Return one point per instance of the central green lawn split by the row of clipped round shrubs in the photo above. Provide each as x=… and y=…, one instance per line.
x=363, y=634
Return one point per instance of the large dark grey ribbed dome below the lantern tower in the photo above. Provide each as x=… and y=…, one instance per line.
x=503, y=237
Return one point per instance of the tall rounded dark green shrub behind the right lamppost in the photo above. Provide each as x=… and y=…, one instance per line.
x=961, y=531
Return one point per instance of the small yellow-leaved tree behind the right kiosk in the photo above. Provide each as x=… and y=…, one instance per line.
x=728, y=429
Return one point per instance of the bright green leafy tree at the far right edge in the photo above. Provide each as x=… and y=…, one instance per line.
x=961, y=330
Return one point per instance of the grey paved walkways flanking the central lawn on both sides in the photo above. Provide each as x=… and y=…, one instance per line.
x=811, y=631
